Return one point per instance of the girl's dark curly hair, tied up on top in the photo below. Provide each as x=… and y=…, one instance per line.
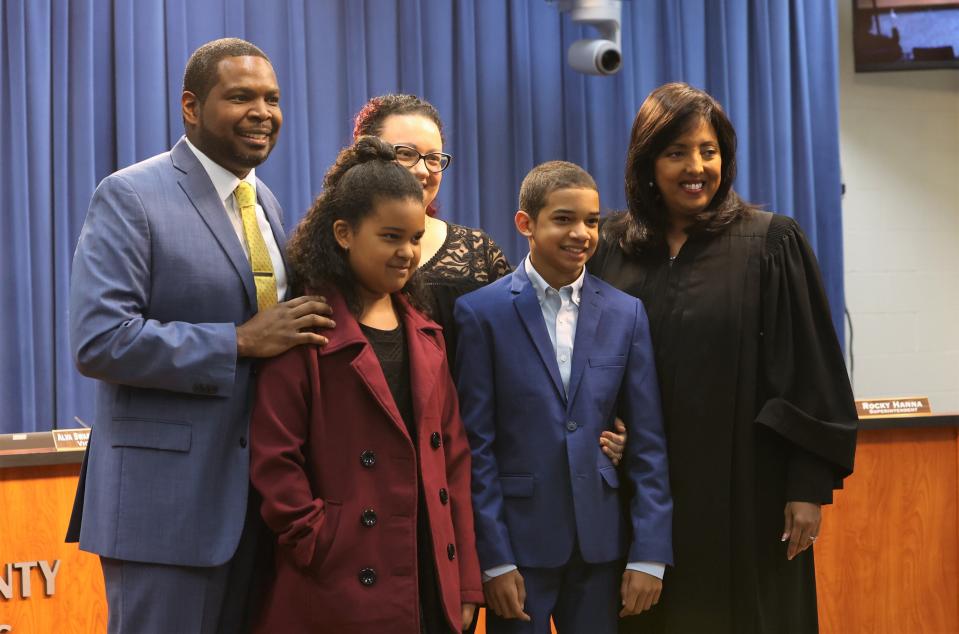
x=363, y=174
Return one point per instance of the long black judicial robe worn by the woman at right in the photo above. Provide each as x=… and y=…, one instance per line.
x=758, y=411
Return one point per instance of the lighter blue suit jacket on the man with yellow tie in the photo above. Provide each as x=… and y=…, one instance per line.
x=159, y=282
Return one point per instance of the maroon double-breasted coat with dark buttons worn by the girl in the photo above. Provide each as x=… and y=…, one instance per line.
x=339, y=476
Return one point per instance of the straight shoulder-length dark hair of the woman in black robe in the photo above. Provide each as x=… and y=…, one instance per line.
x=667, y=113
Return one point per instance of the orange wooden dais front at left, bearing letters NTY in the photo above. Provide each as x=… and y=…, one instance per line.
x=35, y=505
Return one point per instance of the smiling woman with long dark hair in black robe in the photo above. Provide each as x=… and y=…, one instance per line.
x=760, y=418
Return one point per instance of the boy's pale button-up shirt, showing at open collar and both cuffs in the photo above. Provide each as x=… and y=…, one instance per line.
x=561, y=314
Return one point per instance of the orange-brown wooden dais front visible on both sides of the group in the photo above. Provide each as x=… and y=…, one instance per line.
x=887, y=559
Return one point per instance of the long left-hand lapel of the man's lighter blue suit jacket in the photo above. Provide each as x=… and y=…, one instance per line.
x=199, y=189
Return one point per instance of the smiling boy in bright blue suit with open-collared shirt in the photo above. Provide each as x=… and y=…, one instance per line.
x=555, y=527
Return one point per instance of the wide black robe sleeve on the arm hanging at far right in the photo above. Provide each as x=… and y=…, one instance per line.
x=809, y=400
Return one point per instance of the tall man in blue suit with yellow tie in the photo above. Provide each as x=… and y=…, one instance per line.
x=177, y=286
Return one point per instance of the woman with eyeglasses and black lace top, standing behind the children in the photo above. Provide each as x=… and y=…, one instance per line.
x=454, y=259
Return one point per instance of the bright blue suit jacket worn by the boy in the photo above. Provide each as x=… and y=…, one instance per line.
x=540, y=481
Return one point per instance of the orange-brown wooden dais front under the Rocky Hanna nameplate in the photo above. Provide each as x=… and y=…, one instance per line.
x=888, y=555
